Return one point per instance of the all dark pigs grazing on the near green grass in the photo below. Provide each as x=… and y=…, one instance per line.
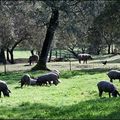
x=53, y=78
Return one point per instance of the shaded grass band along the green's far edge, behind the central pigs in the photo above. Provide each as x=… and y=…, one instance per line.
x=14, y=77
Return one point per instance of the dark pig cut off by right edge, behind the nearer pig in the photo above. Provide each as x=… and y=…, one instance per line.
x=113, y=74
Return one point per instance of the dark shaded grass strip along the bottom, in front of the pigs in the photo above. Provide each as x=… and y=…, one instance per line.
x=107, y=108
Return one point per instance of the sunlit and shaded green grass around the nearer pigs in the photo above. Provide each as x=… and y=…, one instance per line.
x=75, y=97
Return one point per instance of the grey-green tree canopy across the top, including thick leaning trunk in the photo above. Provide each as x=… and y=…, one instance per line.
x=79, y=25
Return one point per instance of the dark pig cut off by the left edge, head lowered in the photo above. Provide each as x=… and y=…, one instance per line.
x=4, y=89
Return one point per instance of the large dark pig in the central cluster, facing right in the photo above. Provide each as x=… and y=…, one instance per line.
x=48, y=78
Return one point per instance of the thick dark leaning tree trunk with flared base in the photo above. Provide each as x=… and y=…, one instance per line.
x=53, y=24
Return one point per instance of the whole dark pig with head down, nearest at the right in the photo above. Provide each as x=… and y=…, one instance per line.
x=104, y=86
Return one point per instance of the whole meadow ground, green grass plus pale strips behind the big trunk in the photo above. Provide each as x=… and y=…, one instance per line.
x=76, y=97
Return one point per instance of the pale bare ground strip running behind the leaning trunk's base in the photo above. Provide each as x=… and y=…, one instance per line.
x=61, y=66
